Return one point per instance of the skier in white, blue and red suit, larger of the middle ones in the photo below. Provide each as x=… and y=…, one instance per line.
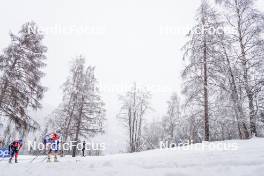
x=52, y=142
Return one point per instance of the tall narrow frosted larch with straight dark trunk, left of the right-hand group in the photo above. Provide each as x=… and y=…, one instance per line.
x=198, y=75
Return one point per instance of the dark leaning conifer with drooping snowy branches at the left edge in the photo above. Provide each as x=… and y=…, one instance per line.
x=20, y=76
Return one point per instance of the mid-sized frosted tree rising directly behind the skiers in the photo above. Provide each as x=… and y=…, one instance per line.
x=81, y=114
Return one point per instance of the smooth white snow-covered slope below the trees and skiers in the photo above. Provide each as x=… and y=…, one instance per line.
x=246, y=160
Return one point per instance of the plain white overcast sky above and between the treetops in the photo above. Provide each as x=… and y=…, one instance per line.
x=127, y=40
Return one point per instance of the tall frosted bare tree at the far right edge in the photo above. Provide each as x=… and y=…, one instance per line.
x=246, y=35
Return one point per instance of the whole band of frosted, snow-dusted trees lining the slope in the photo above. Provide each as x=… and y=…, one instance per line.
x=222, y=95
